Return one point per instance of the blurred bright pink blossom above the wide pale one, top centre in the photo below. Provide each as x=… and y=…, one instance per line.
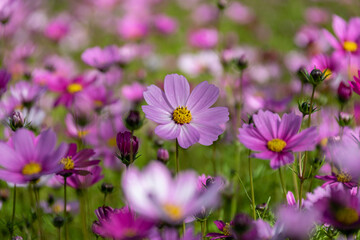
x=204, y=38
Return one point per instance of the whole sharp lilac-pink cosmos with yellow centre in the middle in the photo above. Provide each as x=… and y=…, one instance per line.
x=184, y=116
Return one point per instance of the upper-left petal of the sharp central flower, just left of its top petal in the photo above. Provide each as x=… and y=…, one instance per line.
x=155, y=97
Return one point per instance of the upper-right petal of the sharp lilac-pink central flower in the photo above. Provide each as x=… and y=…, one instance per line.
x=202, y=97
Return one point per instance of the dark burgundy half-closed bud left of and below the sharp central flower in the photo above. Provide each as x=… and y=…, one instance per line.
x=127, y=145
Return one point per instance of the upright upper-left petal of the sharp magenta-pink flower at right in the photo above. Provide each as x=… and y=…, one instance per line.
x=267, y=124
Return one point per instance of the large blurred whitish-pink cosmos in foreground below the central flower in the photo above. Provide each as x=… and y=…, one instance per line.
x=159, y=196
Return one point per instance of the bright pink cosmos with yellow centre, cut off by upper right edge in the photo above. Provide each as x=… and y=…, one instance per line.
x=348, y=36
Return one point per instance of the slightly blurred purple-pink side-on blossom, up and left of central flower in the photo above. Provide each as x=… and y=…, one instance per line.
x=101, y=59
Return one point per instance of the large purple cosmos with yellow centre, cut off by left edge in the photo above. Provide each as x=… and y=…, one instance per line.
x=25, y=157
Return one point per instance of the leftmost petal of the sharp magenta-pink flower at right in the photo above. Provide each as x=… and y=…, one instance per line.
x=252, y=139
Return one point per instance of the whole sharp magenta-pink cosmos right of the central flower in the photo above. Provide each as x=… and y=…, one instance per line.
x=276, y=139
